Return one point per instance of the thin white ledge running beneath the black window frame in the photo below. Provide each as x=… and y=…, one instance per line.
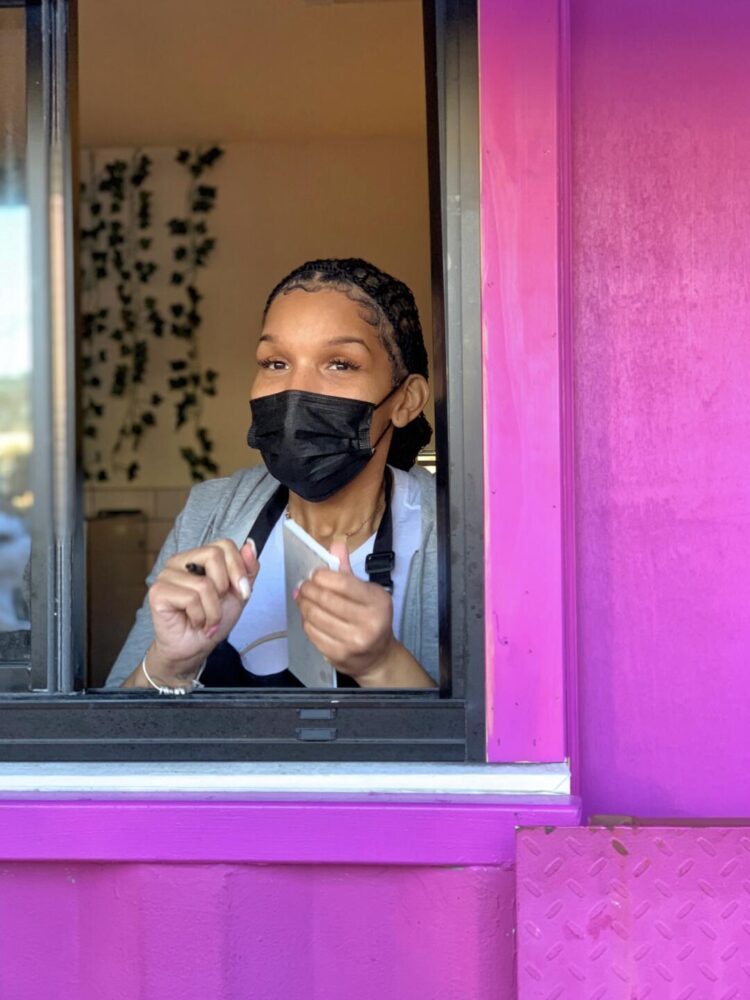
x=282, y=779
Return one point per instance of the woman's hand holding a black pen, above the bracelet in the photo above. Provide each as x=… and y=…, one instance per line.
x=192, y=614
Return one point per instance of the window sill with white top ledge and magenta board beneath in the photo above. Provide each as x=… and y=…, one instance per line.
x=236, y=814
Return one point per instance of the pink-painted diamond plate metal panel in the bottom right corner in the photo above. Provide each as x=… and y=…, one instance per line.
x=630, y=913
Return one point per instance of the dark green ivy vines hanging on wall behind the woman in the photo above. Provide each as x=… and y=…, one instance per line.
x=126, y=311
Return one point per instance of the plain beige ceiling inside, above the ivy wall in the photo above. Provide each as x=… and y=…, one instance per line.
x=166, y=71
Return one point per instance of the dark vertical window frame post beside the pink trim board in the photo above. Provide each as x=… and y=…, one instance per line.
x=451, y=63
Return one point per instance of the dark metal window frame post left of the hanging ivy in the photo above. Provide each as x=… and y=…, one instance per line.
x=56, y=571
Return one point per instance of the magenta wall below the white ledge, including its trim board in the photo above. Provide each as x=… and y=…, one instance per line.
x=343, y=899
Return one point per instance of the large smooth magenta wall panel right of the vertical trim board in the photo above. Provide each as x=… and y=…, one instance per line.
x=661, y=311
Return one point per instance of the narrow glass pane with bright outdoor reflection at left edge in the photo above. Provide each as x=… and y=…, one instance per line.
x=15, y=345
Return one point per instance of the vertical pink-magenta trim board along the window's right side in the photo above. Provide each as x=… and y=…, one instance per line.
x=520, y=66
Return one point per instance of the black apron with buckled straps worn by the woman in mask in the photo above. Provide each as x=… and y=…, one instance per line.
x=224, y=666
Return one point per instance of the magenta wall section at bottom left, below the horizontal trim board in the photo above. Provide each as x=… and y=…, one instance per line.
x=248, y=932
